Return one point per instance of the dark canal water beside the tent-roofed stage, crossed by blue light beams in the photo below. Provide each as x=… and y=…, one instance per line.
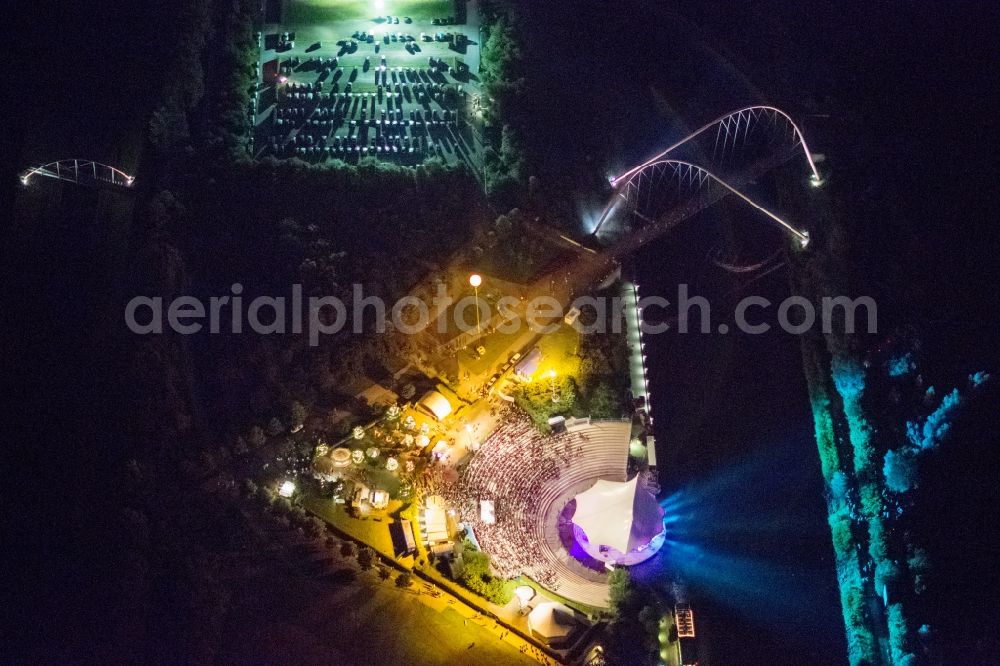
x=745, y=514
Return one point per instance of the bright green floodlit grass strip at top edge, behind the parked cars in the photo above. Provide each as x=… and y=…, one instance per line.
x=302, y=12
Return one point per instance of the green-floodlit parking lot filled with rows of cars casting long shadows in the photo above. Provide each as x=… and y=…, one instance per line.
x=340, y=81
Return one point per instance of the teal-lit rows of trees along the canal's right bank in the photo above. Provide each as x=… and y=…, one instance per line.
x=870, y=449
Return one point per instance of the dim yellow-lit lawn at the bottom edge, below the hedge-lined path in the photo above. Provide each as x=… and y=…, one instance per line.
x=291, y=608
